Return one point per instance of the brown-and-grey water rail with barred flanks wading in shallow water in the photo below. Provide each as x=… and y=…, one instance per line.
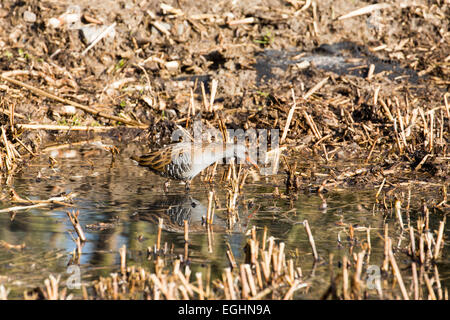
x=184, y=160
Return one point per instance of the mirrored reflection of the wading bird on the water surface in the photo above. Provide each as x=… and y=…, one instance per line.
x=174, y=209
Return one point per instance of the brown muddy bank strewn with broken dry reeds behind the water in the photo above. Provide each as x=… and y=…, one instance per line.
x=386, y=73
